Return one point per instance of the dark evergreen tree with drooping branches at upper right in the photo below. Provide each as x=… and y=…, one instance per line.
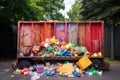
x=107, y=10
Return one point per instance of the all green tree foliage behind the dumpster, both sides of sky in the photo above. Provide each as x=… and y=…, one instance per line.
x=12, y=11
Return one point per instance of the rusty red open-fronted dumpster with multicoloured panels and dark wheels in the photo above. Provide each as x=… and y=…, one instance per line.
x=33, y=34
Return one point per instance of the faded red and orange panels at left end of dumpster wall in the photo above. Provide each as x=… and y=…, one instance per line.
x=33, y=33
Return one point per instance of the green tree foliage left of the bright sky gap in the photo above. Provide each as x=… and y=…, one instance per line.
x=15, y=10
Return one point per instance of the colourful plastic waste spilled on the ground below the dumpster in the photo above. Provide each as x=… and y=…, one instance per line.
x=65, y=69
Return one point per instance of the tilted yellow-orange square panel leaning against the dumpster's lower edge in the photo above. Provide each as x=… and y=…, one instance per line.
x=84, y=62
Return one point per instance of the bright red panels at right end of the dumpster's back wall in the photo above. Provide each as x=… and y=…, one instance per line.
x=94, y=32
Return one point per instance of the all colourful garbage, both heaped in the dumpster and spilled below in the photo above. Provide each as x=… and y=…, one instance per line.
x=53, y=47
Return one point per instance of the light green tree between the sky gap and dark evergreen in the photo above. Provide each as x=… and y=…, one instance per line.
x=74, y=12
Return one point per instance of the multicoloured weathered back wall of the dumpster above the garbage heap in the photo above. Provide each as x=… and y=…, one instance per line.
x=85, y=33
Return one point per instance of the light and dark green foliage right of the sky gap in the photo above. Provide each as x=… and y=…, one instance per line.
x=107, y=10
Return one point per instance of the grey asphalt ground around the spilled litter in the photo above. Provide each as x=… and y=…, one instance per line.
x=6, y=73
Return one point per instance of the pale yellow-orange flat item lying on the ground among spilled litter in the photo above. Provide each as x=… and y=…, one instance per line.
x=66, y=68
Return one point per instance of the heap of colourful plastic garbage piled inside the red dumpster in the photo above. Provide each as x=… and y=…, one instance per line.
x=53, y=47
